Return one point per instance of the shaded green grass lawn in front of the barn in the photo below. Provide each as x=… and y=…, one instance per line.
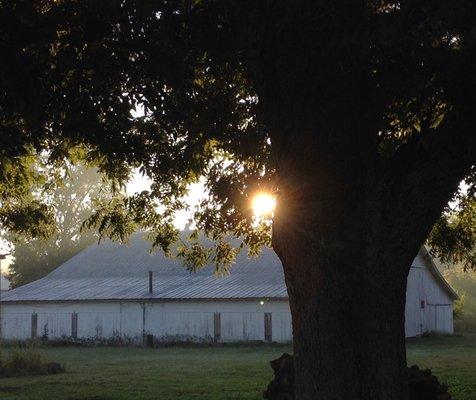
x=107, y=373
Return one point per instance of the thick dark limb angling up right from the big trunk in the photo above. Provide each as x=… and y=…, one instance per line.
x=424, y=174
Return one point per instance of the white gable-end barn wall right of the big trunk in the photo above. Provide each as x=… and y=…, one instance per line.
x=428, y=306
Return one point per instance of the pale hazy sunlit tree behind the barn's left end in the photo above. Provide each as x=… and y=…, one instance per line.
x=72, y=202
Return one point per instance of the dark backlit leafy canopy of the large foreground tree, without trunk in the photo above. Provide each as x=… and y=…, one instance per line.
x=184, y=89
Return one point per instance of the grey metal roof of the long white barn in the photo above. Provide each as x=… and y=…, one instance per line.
x=112, y=271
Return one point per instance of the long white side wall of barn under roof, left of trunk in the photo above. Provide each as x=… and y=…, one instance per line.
x=166, y=321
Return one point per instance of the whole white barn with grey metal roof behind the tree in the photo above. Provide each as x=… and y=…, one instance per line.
x=114, y=291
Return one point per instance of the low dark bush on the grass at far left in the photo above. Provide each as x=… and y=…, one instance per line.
x=27, y=362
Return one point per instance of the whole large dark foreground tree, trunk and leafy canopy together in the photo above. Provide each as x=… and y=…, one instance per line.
x=356, y=115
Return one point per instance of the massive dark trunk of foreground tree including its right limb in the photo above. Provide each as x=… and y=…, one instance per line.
x=350, y=218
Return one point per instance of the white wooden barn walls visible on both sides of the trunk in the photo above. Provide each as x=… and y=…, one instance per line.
x=428, y=308
